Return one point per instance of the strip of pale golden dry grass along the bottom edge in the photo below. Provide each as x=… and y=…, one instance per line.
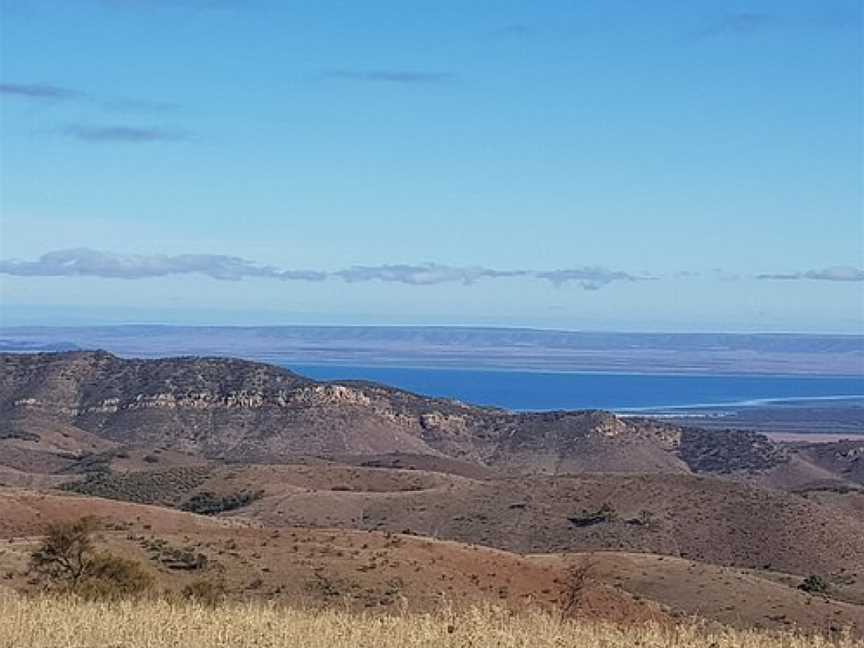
x=66, y=623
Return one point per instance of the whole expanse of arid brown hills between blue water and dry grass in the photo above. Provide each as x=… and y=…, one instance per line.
x=282, y=488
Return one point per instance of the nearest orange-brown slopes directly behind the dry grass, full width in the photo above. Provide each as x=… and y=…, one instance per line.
x=380, y=570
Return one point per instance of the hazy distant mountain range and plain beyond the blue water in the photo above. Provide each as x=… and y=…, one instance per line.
x=477, y=348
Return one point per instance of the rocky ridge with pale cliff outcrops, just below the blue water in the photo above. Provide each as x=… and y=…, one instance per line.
x=247, y=411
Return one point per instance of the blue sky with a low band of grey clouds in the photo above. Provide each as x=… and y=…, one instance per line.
x=585, y=165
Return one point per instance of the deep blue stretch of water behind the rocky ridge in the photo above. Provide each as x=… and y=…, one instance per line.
x=544, y=391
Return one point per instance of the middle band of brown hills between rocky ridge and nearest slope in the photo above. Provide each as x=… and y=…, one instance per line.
x=706, y=519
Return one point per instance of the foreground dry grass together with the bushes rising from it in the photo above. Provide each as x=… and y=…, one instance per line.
x=90, y=598
